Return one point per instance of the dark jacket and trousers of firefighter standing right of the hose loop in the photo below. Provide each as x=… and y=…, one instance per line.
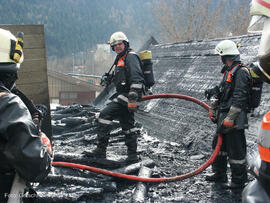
x=233, y=91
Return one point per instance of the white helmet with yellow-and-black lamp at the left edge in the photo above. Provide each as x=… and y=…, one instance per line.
x=10, y=51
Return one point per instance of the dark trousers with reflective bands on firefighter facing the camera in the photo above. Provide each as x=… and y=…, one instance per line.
x=117, y=111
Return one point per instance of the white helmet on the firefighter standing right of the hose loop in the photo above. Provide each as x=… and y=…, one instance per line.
x=226, y=47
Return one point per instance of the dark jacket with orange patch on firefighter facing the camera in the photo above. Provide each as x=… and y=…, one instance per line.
x=127, y=75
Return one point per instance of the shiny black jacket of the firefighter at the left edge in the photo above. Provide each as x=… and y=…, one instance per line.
x=21, y=149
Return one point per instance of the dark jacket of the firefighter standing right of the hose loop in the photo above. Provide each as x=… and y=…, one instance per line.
x=235, y=90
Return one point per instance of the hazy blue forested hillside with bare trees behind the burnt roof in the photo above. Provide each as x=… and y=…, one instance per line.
x=74, y=27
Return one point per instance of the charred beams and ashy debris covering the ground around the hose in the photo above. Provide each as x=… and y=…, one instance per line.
x=73, y=137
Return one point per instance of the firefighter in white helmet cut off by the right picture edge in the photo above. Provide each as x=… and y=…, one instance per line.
x=258, y=190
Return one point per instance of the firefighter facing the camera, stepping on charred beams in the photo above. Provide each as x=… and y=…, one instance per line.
x=129, y=81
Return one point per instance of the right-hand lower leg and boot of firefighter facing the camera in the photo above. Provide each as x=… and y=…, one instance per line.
x=131, y=143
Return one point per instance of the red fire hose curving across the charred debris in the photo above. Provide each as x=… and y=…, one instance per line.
x=153, y=180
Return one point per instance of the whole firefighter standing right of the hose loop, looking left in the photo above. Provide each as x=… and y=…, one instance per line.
x=230, y=112
